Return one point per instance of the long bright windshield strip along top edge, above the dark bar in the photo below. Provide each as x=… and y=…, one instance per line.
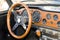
x=38, y=1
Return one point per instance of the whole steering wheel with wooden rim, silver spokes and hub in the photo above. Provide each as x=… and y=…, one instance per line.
x=20, y=21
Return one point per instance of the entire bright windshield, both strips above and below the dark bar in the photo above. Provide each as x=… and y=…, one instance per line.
x=48, y=8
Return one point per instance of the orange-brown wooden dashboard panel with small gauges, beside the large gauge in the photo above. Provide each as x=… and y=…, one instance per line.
x=49, y=19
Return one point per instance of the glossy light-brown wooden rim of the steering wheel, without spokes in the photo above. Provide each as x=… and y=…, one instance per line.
x=8, y=21
